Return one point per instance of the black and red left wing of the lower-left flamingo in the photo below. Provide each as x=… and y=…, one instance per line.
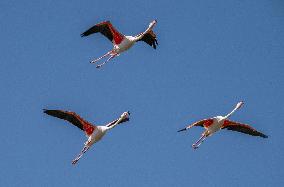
x=73, y=118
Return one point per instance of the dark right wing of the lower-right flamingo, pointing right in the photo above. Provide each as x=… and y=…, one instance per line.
x=243, y=128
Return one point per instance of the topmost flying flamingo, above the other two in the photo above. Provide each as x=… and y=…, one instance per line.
x=121, y=42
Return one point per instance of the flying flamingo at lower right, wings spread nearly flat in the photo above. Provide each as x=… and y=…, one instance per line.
x=217, y=123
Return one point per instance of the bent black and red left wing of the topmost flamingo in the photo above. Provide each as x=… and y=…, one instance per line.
x=106, y=29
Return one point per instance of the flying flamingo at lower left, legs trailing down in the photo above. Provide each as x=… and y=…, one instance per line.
x=94, y=133
